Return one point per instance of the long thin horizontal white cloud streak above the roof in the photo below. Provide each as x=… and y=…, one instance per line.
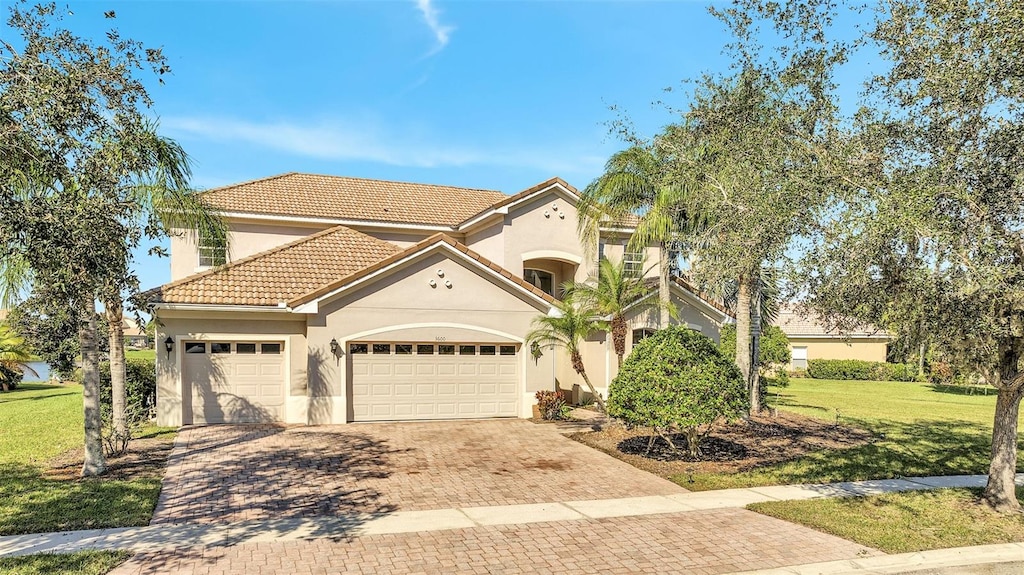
x=365, y=143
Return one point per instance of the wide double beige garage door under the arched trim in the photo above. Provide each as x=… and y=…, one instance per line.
x=409, y=381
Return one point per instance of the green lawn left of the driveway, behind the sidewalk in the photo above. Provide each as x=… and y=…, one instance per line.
x=39, y=423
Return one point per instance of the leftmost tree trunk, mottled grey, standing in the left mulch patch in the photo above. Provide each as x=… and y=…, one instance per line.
x=95, y=463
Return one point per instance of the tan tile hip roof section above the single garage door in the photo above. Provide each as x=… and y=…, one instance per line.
x=280, y=275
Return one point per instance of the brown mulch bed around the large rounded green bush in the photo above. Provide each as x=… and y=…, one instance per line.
x=759, y=441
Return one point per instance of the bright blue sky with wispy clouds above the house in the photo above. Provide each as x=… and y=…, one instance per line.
x=497, y=96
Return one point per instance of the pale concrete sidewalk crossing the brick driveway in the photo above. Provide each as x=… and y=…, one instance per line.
x=186, y=536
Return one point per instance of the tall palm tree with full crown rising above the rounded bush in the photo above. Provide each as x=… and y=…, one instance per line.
x=636, y=184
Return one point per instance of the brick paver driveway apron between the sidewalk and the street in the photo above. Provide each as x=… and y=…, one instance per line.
x=697, y=543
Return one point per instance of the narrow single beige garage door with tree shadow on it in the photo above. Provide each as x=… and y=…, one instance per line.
x=235, y=382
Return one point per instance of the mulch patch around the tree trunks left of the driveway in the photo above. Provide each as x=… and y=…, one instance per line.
x=146, y=459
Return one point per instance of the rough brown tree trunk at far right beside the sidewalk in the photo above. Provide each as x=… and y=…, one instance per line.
x=1001, y=492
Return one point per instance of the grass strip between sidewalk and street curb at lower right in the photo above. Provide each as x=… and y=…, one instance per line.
x=907, y=522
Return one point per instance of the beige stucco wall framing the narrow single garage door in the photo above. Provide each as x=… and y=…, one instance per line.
x=183, y=326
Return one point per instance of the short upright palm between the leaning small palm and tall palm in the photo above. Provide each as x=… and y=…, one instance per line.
x=612, y=293
